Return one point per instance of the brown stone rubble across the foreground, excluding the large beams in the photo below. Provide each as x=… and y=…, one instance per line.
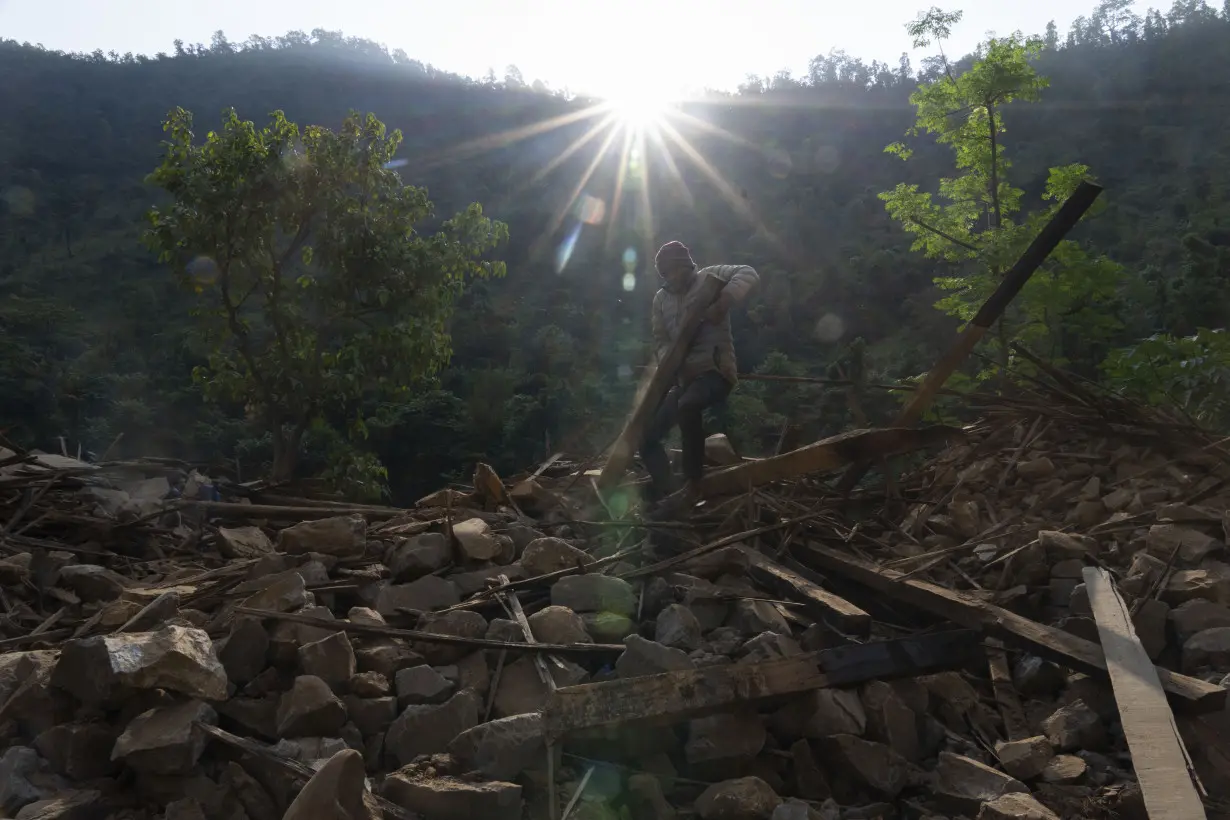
x=389, y=656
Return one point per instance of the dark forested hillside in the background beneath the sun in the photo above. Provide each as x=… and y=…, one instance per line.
x=97, y=335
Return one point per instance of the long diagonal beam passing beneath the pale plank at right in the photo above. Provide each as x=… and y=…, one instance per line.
x=1189, y=694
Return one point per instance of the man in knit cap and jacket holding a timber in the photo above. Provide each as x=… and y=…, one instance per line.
x=709, y=372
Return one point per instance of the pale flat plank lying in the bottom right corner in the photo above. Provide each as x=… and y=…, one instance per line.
x=1158, y=755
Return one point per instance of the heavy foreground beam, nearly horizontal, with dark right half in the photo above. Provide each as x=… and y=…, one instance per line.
x=671, y=698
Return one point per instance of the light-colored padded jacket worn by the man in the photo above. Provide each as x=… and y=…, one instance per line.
x=714, y=347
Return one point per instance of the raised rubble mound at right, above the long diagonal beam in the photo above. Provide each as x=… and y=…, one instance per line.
x=1025, y=513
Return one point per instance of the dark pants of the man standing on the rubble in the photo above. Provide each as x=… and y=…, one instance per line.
x=686, y=408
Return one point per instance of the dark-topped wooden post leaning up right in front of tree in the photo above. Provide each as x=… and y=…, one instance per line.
x=1044, y=244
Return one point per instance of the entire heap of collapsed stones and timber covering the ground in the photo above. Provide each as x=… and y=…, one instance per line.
x=526, y=650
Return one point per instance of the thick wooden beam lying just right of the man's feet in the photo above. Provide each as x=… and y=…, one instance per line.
x=825, y=455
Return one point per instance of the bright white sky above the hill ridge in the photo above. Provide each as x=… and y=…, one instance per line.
x=607, y=47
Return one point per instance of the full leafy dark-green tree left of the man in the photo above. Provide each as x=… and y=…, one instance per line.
x=317, y=292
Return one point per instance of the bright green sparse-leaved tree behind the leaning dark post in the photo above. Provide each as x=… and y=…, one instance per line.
x=977, y=222
